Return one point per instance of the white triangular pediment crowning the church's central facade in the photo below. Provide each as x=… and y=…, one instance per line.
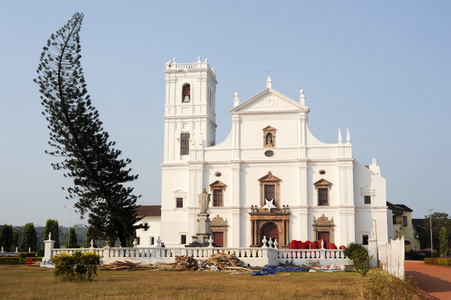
x=268, y=101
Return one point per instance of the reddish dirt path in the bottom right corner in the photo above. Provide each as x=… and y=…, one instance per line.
x=435, y=280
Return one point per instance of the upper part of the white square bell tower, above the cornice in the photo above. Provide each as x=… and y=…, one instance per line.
x=189, y=117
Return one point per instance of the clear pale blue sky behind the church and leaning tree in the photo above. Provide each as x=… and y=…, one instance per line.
x=380, y=68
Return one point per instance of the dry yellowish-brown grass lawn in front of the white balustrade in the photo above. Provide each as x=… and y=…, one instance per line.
x=21, y=282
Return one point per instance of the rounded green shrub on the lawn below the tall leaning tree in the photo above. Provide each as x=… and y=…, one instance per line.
x=79, y=265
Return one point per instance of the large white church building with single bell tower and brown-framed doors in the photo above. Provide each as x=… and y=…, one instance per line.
x=270, y=177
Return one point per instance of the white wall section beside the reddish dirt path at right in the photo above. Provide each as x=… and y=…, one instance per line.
x=391, y=257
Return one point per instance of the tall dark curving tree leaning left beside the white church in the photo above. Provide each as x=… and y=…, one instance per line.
x=77, y=136
